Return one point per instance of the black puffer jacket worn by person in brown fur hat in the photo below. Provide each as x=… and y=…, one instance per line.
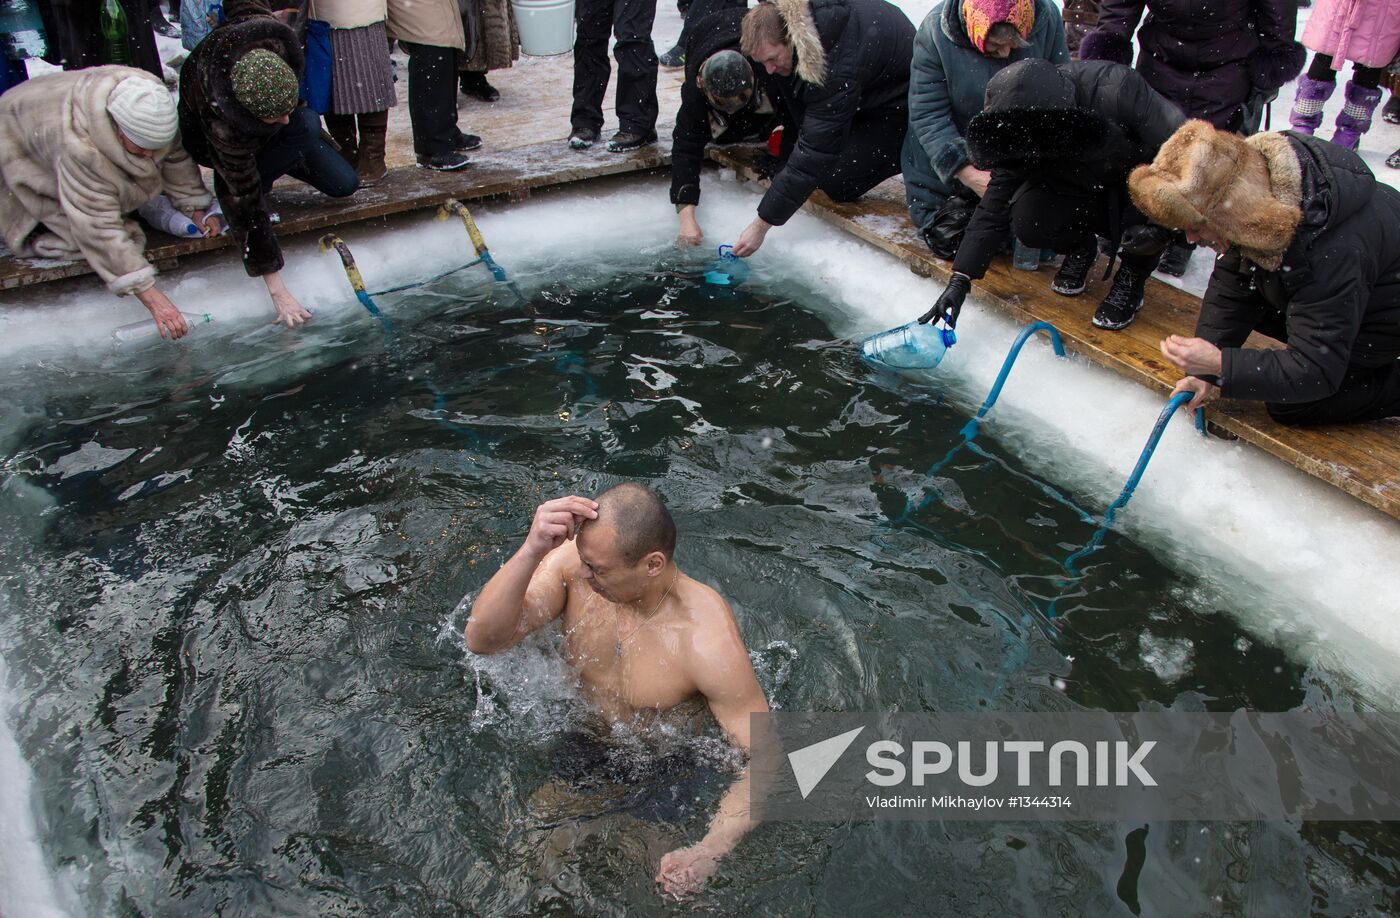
x=1335, y=300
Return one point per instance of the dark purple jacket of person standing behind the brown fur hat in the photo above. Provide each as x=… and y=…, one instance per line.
x=1209, y=57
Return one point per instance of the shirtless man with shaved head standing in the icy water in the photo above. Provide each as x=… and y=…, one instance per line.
x=643, y=637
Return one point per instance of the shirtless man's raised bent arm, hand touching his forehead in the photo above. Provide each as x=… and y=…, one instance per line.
x=528, y=593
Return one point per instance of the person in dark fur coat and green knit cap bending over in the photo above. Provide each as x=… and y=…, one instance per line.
x=240, y=115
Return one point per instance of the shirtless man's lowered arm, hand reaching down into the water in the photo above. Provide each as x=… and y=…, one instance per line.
x=726, y=679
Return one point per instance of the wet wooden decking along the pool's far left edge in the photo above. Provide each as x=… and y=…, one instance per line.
x=505, y=174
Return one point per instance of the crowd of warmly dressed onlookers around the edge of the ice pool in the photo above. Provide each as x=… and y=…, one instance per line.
x=1018, y=125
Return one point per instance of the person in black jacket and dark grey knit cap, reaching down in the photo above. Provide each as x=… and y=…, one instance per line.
x=726, y=99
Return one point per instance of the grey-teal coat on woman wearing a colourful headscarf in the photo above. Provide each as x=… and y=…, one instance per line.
x=947, y=87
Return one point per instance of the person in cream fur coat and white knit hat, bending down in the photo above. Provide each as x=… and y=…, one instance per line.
x=82, y=152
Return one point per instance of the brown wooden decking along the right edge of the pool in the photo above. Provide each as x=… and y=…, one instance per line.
x=1361, y=460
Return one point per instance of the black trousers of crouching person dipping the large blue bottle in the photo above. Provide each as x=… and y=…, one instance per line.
x=1048, y=219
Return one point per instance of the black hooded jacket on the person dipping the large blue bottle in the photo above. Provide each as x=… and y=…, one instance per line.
x=1074, y=129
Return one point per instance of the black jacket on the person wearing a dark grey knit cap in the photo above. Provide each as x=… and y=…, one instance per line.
x=695, y=129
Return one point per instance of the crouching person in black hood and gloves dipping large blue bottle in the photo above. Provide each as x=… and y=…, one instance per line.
x=1060, y=142
